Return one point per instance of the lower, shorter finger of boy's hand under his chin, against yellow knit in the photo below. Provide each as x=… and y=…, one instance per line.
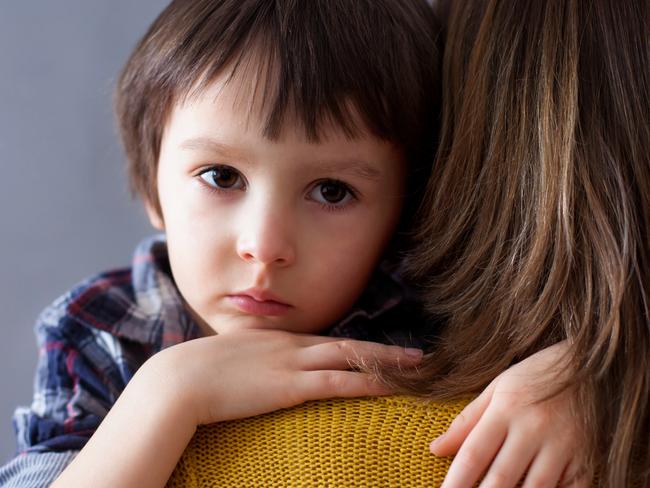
x=316, y=385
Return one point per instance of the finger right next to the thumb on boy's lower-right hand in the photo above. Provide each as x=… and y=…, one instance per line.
x=476, y=454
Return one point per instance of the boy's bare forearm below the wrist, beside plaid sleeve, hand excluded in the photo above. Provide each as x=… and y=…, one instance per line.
x=138, y=443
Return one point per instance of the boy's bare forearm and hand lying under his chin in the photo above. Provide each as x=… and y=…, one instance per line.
x=214, y=379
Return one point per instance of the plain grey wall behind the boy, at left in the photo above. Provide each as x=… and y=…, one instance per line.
x=65, y=212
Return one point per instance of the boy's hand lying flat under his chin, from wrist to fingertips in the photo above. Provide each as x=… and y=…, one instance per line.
x=251, y=372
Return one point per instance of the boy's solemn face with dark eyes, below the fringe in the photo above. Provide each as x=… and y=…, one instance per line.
x=271, y=234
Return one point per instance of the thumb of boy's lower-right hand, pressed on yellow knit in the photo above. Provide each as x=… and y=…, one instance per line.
x=449, y=443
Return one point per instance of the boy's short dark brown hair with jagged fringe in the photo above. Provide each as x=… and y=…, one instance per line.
x=329, y=61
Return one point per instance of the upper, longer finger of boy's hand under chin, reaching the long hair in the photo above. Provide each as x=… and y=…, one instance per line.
x=338, y=355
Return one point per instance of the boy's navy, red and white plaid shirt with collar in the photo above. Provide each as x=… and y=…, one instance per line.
x=93, y=339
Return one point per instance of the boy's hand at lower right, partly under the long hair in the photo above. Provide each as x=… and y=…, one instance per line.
x=506, y=433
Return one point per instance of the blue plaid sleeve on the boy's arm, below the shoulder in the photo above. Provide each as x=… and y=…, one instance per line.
x=74, y=388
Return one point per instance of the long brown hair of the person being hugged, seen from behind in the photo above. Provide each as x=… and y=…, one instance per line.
x=536, y=225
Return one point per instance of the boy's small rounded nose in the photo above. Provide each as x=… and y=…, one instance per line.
x=266, y=240
